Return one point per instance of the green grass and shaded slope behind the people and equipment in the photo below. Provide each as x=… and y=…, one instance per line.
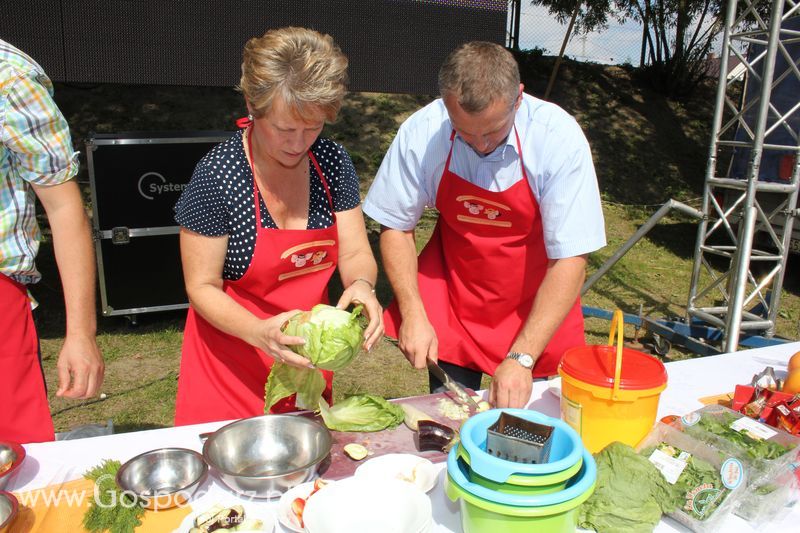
x=646, y=151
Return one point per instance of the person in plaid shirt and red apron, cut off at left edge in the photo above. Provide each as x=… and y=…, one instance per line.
x=37, y=160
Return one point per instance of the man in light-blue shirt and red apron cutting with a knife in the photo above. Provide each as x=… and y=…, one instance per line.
x=496, y=289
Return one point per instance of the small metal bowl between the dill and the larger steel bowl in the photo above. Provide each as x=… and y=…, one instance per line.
x=163, y=478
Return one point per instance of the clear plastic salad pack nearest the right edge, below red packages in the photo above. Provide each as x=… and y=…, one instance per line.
x=767, y=454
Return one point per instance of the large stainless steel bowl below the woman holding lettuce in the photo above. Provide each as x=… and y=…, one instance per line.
x=264, y=456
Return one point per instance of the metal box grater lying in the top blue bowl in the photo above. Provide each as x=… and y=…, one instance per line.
x=519, y=440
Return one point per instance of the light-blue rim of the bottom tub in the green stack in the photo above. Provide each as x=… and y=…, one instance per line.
x=458, y=472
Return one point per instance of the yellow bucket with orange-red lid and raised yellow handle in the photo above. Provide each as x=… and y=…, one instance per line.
x=610, y=393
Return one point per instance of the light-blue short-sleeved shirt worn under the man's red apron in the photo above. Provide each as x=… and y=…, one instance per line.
x=558, y=163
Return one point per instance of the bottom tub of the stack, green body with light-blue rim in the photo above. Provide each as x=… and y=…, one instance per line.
x=548, y=513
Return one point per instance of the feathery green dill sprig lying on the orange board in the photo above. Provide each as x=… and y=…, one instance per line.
x=110, y=509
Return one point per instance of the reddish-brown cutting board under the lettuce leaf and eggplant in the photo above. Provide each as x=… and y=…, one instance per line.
x=398, y=440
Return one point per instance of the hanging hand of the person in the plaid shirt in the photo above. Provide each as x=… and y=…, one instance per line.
x=80, y=368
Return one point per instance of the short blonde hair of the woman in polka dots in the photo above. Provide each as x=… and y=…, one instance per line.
x=302, y=67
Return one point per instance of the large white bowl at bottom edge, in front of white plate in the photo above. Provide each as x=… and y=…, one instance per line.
x=366, y=505
